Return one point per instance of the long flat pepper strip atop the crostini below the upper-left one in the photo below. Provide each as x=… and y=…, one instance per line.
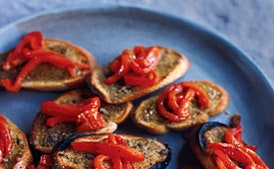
x=52, y=108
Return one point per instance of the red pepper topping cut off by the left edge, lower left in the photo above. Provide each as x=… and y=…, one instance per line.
x=6, y=144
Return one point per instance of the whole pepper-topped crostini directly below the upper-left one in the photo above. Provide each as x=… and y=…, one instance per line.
x=67, y=115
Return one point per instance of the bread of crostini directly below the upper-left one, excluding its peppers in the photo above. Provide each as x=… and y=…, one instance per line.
x=43, y=138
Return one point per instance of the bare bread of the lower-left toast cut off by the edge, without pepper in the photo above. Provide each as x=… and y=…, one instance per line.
x=21, y=155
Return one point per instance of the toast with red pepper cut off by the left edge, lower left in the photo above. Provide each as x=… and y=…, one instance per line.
x=14, y=148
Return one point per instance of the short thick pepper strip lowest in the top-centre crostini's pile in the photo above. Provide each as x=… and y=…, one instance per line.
x=141, y=80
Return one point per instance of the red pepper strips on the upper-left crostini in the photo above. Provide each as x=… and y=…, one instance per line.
x=31, y=52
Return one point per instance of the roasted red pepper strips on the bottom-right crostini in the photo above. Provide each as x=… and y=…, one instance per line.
x=234, y=153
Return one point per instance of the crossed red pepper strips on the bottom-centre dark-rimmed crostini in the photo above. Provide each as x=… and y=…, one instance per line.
x=112, y=151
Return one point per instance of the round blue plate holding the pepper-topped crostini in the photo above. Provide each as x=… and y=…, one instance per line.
x=105, y=30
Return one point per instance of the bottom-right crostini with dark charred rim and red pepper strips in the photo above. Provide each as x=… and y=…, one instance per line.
x=220, y=146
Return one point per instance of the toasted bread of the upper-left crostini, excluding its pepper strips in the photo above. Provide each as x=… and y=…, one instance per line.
x=47, y=77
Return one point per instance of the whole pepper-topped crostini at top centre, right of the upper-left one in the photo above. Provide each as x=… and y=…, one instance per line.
x=135, y=73
